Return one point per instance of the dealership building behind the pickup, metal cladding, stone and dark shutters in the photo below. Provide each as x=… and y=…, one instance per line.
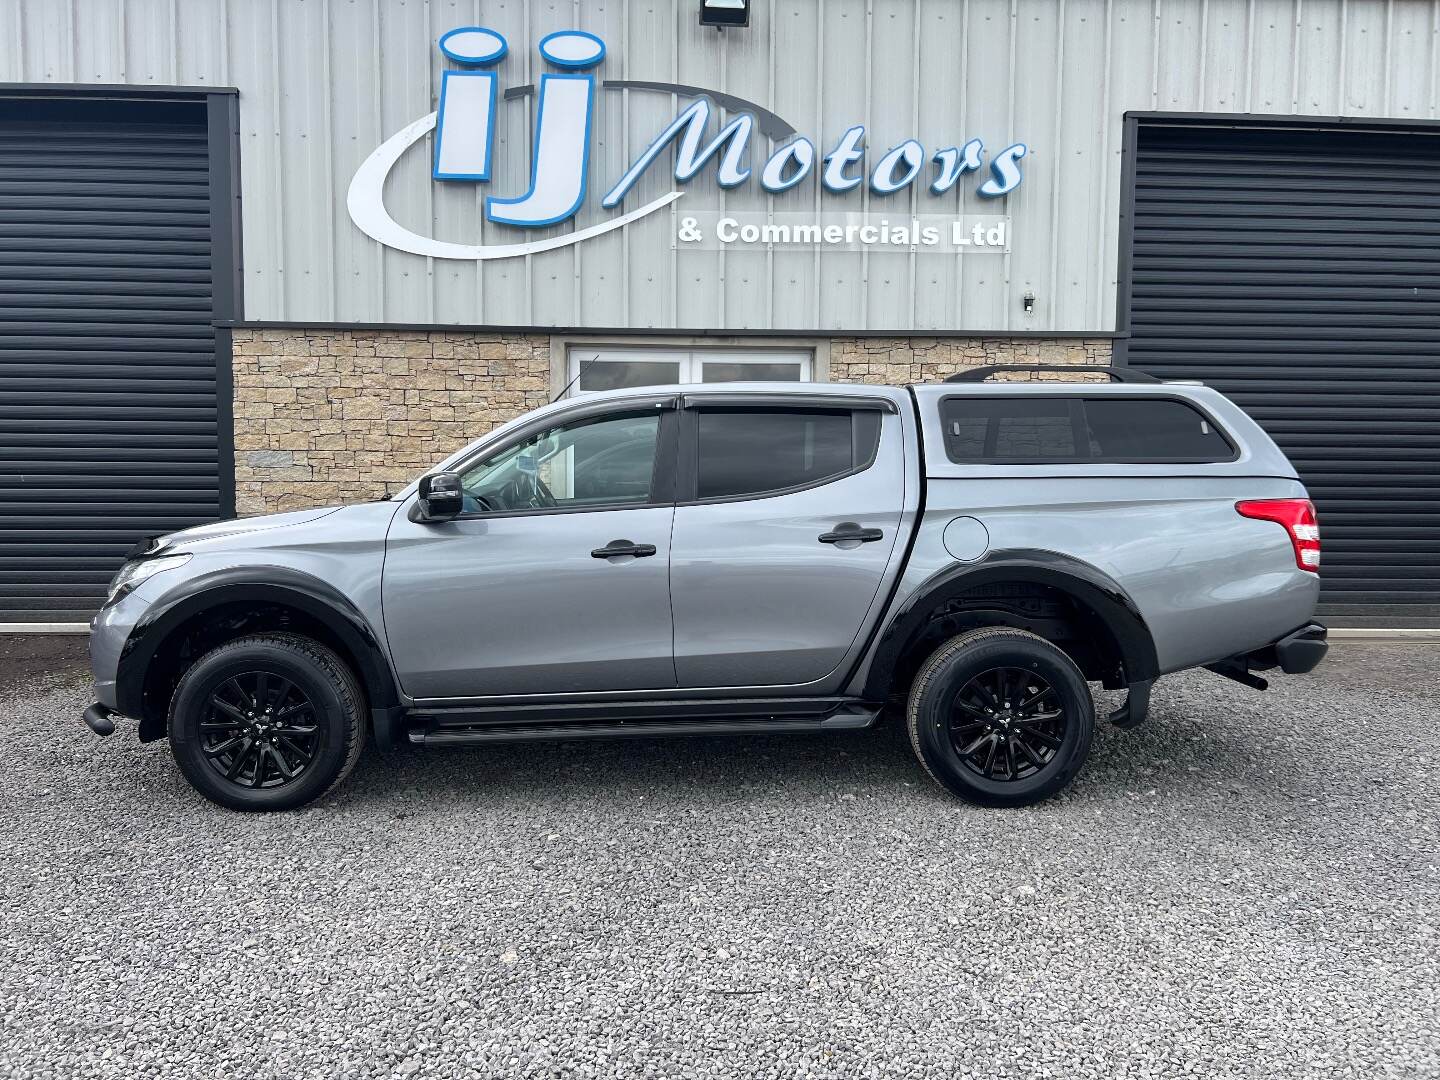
x=271, y=254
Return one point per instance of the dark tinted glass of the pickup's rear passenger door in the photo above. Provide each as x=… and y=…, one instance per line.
x=752, y=451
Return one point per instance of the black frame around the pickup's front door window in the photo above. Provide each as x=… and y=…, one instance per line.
x=663, y=477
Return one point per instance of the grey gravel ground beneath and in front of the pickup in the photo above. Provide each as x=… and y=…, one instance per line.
x=1245, y=886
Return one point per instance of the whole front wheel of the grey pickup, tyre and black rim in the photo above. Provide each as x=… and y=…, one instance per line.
x=269, y=722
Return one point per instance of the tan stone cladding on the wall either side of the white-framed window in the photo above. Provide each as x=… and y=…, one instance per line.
x=343, y=415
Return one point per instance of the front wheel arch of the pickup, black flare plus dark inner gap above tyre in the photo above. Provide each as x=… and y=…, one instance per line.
x=220, y=607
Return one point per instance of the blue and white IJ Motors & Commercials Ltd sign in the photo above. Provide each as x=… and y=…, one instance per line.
x=561, y=153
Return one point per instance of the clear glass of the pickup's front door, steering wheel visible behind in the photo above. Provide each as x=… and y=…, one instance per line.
x=607, y=462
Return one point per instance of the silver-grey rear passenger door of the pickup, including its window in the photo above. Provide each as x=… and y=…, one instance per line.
x=790, y=518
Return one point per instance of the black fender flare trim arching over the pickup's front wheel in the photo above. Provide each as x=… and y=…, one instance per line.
x=261, y=585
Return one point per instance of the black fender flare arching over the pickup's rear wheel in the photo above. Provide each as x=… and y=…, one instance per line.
x=1081, y=581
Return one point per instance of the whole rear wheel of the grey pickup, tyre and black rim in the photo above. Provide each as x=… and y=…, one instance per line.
x=1002, y=718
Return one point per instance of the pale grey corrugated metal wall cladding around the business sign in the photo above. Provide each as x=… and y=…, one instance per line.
x=325, y=81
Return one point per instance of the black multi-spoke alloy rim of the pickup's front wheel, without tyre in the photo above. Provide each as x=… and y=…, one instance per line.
x=260, y=731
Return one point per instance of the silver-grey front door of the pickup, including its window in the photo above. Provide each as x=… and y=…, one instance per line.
x=555, y=580
